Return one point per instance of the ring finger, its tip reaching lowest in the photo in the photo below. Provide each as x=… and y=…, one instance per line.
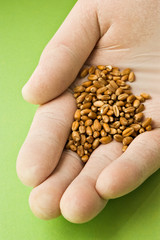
x=81, y=201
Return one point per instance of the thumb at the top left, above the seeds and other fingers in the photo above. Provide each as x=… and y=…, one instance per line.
x=64, y=55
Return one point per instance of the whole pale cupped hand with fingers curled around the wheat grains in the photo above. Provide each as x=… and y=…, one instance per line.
x=125, y=34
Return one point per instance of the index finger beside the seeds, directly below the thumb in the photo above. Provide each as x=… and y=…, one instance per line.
x=44, y=144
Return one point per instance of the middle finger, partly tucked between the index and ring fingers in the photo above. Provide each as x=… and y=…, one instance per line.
x=44, y=199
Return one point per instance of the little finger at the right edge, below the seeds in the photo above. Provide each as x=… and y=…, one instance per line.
x=141, y=159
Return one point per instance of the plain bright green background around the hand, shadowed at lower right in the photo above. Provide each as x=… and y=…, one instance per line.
x=25, y=28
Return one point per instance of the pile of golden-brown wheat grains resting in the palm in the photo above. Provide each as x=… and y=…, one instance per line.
x=106, y=110
